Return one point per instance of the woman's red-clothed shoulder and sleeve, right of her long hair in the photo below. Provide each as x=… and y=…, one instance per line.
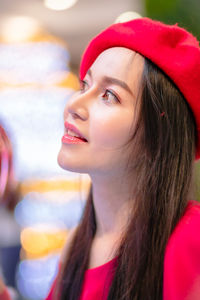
x=182, y=257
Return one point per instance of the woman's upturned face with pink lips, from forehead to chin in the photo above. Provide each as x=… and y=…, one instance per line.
x=103, y=112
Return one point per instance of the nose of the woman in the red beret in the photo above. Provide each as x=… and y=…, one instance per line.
x=77, y=107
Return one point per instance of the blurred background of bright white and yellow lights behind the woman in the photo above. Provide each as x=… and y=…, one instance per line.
x=41, y=42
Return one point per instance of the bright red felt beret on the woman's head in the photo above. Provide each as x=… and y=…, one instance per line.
x=171, y=48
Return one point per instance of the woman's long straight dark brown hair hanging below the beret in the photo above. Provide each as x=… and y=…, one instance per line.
x=166, y=131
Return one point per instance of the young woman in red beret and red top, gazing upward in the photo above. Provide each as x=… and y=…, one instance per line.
x=134, y=128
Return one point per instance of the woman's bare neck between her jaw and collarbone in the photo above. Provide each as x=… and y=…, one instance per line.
x=112, y=205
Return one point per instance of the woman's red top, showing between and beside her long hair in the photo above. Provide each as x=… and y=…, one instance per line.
x=181, y=264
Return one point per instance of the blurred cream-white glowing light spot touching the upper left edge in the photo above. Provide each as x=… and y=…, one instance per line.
x=19, y=29
